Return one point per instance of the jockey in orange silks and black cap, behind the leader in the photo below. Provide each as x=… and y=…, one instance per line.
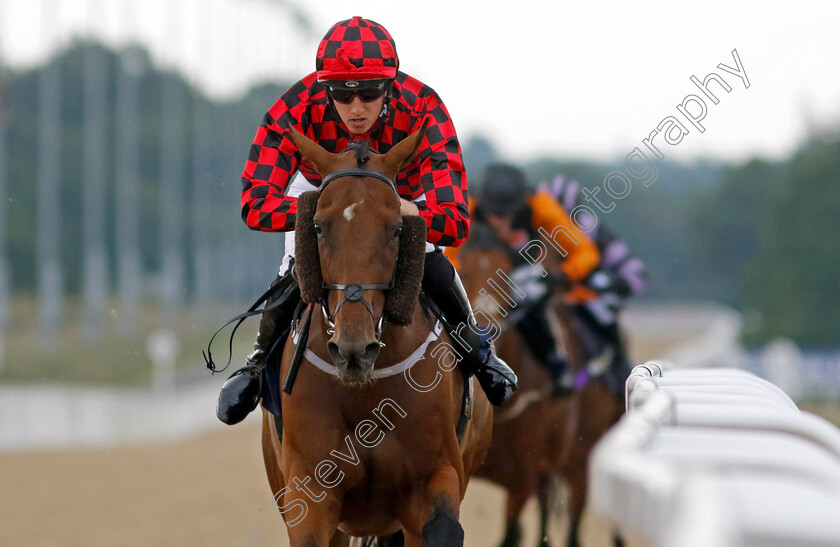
x=516, y=214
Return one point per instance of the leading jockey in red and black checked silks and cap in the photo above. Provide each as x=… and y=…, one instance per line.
x=357, y=93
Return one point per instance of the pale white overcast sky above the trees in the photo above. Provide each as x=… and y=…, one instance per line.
x=582, y=79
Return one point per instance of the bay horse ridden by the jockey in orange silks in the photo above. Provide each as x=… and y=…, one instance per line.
x=536, y=437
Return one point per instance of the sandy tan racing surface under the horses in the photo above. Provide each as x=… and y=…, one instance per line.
x=210, y=491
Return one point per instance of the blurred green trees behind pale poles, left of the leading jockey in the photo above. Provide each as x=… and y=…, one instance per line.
x=225, y=129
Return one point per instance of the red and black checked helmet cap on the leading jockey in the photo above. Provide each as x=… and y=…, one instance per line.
x=356, y=49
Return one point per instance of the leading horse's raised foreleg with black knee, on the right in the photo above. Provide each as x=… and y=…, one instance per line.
x=433, y=519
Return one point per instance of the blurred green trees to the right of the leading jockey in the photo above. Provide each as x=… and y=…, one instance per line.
x=761, y=236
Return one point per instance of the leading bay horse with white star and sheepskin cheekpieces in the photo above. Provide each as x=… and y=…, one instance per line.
x=368, y=445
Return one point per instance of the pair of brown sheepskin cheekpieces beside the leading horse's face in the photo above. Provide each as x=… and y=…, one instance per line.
x=408, y=275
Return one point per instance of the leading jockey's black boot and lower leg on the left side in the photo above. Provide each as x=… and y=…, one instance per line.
x=241, y=392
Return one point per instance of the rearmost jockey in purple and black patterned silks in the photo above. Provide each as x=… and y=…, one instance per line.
x=619, y=276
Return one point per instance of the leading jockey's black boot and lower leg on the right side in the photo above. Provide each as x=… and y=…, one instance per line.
x=496, y=378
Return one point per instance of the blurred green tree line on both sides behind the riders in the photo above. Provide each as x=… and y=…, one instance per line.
x=760, y=236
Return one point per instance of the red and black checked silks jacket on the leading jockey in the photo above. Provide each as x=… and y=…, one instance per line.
x=436, y=173
